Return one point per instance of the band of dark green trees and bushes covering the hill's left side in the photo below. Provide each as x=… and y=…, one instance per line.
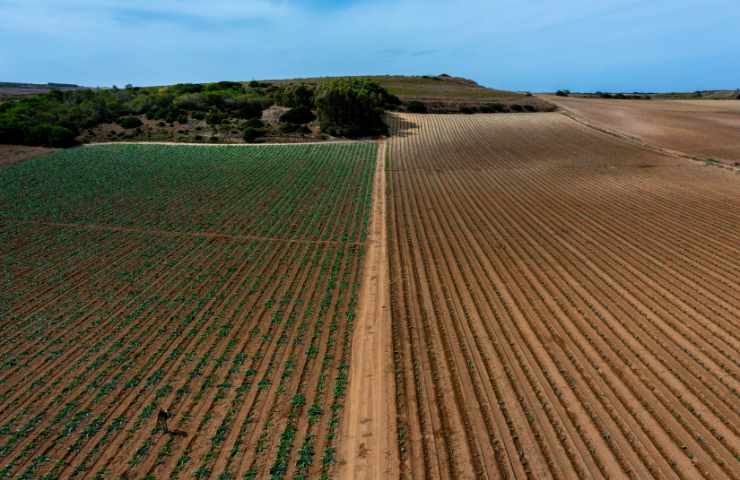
x=344, y=107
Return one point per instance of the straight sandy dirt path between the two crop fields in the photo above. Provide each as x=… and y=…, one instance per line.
x=368, y=443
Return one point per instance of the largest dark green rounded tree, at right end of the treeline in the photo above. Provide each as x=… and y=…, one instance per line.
x=352, y=107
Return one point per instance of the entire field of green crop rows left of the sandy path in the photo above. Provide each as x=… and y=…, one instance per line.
x=217, y=283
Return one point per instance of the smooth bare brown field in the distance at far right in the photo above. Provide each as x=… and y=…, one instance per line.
x=706, y=129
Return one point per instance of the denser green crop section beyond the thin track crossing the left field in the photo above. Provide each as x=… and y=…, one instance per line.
x=294, y=190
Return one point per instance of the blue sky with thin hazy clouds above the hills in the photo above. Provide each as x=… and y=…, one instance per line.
x=537, y=45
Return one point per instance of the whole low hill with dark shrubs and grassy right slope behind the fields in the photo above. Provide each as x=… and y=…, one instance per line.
x=234, y=112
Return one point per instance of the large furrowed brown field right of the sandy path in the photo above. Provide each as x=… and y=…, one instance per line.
x=564, y=305
